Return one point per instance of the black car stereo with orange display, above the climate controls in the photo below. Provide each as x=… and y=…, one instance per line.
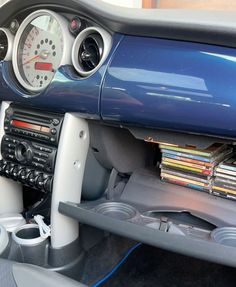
x=36, y=125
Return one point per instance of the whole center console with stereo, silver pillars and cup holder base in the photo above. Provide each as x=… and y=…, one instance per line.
x=46, y=152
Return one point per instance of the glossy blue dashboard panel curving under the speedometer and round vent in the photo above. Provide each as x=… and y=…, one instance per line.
x=67, y=92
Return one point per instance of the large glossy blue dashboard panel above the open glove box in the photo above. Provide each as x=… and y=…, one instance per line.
x=173, y=85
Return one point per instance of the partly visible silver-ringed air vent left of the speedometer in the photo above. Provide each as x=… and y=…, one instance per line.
x=6, y=41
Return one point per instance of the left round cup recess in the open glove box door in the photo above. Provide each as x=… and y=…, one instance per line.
x=116, y=210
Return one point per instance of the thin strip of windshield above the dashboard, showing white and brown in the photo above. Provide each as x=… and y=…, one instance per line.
x=177, y=4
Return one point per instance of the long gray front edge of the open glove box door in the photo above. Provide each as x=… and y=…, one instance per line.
x=203, y=249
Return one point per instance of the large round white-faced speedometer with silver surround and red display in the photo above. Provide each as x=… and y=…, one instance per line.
x=42, y=45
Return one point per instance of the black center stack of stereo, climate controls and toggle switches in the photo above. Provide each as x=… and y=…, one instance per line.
x=29, y=146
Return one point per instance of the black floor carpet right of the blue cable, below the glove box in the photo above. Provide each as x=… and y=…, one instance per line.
x=149, y=266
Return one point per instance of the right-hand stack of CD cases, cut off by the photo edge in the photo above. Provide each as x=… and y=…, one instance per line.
x=224, y=184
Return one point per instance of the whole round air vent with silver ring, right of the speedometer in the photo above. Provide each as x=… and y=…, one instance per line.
x=90, y=49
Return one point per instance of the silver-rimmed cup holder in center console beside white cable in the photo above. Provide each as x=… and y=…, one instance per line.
x=27, y=235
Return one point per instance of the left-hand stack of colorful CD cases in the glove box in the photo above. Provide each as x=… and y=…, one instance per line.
x=191, y=167
